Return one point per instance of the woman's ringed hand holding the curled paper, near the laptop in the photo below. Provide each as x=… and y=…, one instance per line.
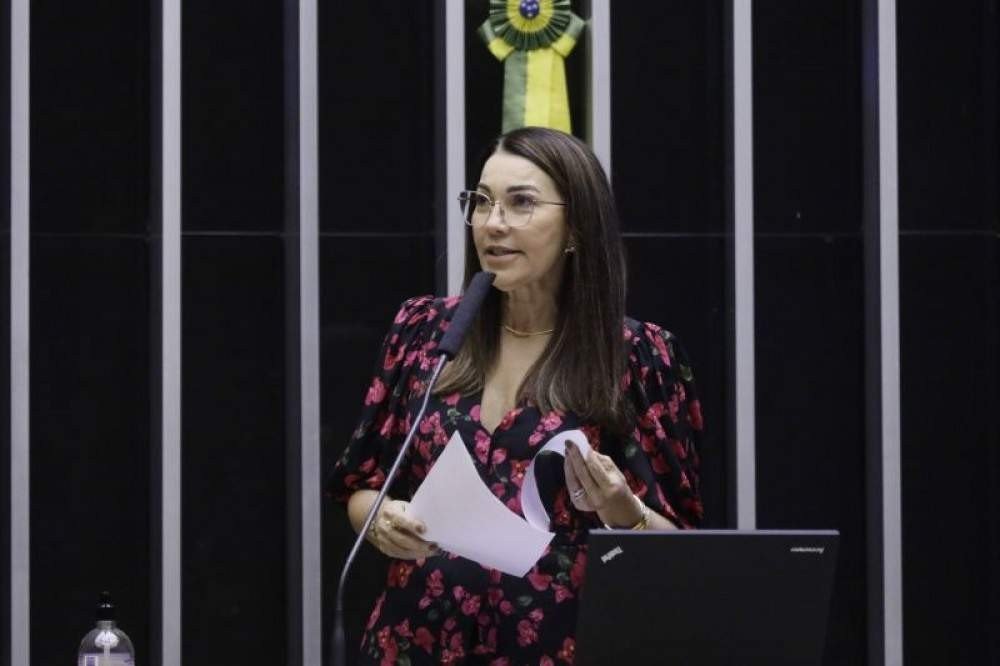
x=596, y=484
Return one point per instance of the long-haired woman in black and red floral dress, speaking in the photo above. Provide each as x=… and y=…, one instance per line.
x=550, y=351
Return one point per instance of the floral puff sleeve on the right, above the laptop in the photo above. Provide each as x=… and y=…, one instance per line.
x=661, y=456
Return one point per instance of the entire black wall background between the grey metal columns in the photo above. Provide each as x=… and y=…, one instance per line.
x=92, y=273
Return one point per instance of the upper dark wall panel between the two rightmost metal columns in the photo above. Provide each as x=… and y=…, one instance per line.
x=807, y=117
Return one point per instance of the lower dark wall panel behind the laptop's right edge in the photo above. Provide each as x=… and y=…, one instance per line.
x=810, y=411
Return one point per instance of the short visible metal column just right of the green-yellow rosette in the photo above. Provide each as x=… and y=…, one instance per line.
x=599, y=82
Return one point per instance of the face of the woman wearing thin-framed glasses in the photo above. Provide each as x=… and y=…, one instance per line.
x=529, y=256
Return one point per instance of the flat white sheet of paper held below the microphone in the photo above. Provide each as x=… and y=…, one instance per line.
x=464, y=517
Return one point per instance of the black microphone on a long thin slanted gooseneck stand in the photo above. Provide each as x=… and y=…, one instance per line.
x=451, y=342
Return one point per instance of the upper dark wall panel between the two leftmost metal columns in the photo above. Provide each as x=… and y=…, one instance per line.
x=90, y=116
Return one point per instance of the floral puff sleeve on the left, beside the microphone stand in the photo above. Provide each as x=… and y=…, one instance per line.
x=385, y=417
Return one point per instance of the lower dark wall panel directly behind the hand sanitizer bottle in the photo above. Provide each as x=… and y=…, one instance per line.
x=90, y=439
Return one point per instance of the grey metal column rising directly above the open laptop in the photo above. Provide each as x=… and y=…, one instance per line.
x=743, y=488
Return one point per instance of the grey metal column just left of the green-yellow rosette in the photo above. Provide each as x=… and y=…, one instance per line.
x=455, y=178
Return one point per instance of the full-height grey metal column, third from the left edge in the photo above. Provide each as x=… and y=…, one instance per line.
x=309, y=334
